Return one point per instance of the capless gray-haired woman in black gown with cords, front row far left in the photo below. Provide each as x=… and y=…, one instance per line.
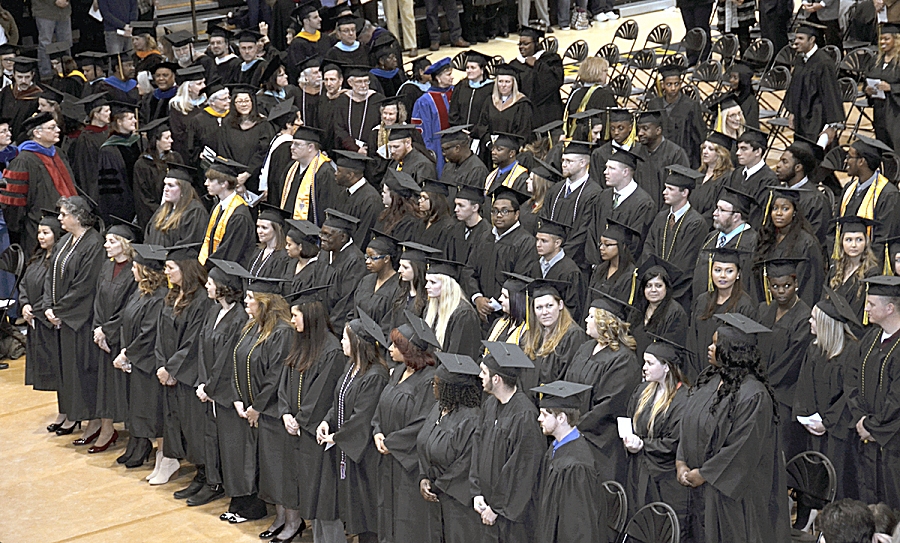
x=67, y=302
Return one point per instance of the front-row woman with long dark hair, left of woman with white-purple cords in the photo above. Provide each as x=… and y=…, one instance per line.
x=311, y=373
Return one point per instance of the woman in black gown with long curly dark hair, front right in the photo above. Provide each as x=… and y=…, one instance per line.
x=728, y=452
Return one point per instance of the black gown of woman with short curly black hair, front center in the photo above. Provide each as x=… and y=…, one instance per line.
x=444, y=447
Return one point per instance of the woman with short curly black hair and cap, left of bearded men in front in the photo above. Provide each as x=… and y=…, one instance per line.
x=444, y=448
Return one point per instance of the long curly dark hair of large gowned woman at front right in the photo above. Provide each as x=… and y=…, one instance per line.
x=737, y=359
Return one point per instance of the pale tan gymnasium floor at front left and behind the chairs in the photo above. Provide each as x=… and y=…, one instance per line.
x=52, y=491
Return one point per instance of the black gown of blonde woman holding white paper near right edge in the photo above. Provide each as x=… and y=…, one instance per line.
x=820, y=389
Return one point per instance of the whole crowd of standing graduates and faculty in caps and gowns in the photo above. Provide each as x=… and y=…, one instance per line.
x=409, y=309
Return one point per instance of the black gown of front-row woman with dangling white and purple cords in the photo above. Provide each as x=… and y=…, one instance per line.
x=353, y=473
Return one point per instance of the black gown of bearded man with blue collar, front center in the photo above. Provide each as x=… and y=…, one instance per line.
x=570, y=506
